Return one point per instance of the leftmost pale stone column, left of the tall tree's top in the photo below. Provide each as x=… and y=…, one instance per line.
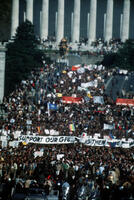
x=14, y=17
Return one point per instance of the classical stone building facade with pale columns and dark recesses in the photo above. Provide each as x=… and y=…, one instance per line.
x=75, y=19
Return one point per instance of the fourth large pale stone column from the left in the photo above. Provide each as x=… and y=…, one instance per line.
x=60, y=21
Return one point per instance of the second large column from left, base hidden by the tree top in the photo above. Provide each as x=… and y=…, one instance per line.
x=29, y=10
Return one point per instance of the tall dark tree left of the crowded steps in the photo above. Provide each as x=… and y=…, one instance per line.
x=22, y=55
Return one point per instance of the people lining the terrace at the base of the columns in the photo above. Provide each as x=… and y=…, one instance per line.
x=98, y=47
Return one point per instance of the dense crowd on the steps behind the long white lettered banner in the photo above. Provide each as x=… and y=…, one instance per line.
x=27, y=106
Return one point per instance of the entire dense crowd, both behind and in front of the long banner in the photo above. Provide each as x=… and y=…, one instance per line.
x=106, y=173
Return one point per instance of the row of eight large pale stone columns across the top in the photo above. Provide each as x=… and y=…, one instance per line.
x=75, y=19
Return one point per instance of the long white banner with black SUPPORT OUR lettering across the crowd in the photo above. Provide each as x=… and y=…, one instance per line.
x=73, y=139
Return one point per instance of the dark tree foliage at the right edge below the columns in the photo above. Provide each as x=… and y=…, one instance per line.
x=123, y=59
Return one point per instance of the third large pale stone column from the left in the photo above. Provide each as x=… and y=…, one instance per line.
x=44, y=19
